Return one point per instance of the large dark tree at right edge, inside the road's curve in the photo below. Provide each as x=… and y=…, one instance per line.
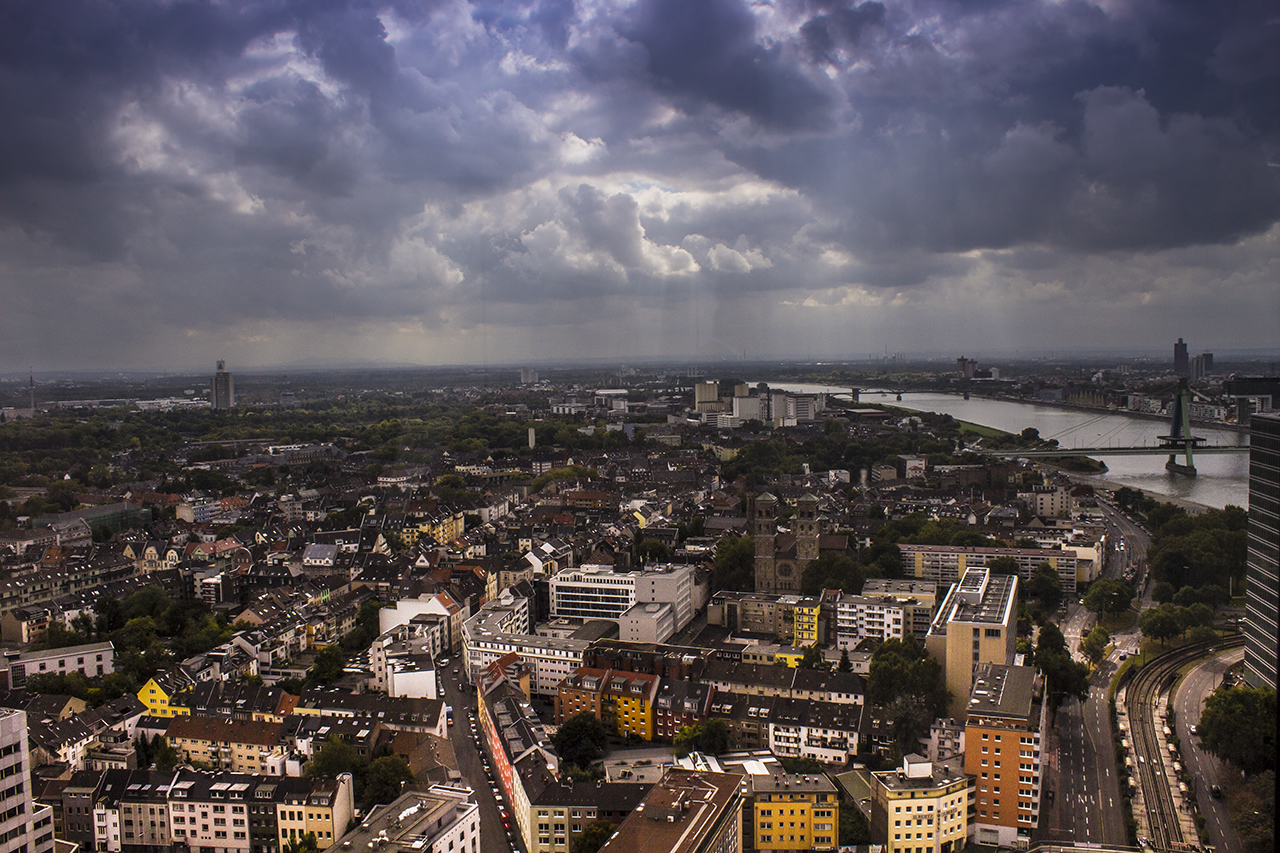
x=1240, y=726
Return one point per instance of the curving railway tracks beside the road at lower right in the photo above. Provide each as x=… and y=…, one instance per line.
x=1141, y=699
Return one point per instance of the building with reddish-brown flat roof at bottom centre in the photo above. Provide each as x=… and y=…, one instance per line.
x=687, y=813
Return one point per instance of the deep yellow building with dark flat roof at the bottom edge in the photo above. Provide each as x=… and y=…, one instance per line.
x=794, y=813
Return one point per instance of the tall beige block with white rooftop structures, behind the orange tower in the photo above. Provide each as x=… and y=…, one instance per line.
x=976, y=624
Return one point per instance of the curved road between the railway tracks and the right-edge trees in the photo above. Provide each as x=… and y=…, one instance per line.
x=1205, y=769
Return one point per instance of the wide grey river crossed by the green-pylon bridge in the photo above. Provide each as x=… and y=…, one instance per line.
x=1222, y=480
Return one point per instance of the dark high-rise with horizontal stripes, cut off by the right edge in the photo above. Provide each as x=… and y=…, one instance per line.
x=1263, y=587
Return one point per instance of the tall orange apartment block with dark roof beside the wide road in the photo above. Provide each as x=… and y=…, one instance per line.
x=1003, y=752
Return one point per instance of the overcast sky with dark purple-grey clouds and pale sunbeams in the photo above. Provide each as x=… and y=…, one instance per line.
x=438, y=183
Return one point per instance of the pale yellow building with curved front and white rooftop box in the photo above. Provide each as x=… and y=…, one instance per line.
x=922, y=808
